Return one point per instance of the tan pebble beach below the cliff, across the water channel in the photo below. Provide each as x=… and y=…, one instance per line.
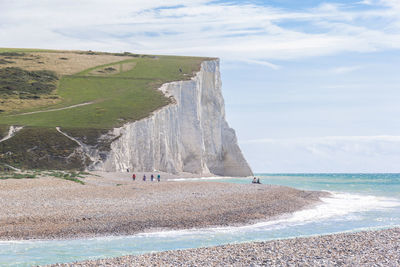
x=114, y=205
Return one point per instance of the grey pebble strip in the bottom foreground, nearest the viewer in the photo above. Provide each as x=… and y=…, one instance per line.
x=370, y=248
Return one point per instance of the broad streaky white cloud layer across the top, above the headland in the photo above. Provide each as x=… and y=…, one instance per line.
x=235, y=31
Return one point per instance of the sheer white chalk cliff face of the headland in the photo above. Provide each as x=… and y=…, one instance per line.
x=190, y=135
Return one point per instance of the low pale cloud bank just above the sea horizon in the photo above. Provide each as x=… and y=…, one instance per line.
x=325, y=154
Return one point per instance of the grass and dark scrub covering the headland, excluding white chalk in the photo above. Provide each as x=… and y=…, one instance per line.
x=85, y=93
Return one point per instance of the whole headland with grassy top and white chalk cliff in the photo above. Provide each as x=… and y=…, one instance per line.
x=77, y=110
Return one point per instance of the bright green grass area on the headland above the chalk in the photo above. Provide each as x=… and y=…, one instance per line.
x=117, y=98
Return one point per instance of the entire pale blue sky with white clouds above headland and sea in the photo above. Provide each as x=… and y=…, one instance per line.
x=309, y=86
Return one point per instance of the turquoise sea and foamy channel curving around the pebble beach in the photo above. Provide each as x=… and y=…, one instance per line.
x=359, y=202
